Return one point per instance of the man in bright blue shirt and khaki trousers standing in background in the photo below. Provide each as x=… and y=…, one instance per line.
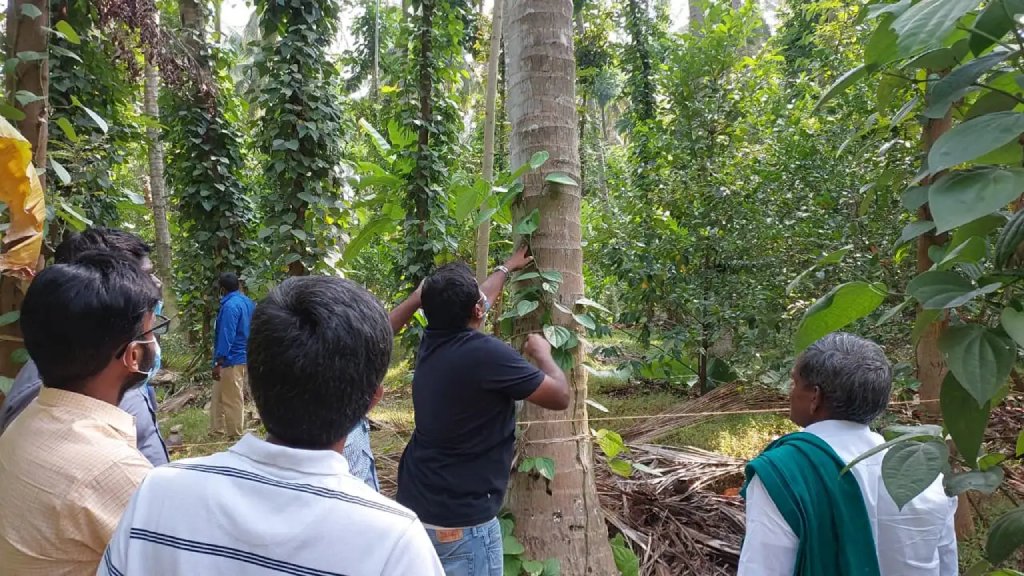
x=228, y=404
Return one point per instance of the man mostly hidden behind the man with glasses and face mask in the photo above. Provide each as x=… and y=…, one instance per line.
x=140, y=402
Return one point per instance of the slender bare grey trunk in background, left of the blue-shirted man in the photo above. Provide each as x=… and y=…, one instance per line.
x=158, y=189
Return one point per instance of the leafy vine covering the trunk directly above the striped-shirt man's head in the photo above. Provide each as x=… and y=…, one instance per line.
x=300, y=129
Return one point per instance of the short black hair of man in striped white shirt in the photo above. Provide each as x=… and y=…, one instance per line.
x=319, y=349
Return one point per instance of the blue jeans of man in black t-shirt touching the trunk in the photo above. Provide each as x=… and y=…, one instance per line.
x=471, y=552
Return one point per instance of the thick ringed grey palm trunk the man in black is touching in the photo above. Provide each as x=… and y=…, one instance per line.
x=568, y=523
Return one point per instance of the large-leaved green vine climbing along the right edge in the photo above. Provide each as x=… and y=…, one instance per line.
x=961, y=65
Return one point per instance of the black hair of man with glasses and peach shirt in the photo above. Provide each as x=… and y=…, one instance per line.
x=76, y=317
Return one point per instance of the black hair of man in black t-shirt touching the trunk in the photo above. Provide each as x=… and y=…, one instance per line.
x=449, y=297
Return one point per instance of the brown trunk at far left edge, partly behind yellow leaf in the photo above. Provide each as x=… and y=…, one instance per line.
x=25, y=34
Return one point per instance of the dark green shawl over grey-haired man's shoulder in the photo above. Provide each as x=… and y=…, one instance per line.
x=825, y=510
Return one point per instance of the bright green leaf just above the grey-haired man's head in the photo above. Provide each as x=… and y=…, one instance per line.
x=843, y=305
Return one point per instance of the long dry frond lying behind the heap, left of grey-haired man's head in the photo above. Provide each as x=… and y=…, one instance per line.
x=728, y=398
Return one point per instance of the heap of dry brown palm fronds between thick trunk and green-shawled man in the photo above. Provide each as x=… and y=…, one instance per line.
x=676, y=518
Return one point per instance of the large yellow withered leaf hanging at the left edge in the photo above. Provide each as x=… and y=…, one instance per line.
x=20, y=189
